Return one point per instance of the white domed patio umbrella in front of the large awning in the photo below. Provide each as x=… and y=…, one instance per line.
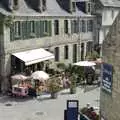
x=40, y=75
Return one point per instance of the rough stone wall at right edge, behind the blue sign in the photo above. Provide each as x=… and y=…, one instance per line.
x=110, y=103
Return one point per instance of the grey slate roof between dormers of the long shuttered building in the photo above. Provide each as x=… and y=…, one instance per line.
x=53, y=9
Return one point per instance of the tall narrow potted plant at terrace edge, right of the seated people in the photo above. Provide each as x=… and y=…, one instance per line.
x=73, y=84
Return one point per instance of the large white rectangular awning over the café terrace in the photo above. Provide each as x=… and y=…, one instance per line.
x=34, y=56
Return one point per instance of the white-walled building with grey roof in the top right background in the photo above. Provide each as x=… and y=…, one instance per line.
x=106, y=12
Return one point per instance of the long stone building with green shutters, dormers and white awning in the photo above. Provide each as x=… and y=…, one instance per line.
x=58, y=28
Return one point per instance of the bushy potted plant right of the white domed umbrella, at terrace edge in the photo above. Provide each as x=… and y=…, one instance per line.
x=53, y=87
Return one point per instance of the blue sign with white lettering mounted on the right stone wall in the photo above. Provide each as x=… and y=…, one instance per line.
x=107, y=75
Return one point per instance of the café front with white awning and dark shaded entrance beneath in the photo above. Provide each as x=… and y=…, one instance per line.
x=30, y=61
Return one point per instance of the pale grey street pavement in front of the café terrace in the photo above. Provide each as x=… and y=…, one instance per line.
x=45, y=108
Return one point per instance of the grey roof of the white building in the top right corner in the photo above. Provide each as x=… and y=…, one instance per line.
x=111, y=3
